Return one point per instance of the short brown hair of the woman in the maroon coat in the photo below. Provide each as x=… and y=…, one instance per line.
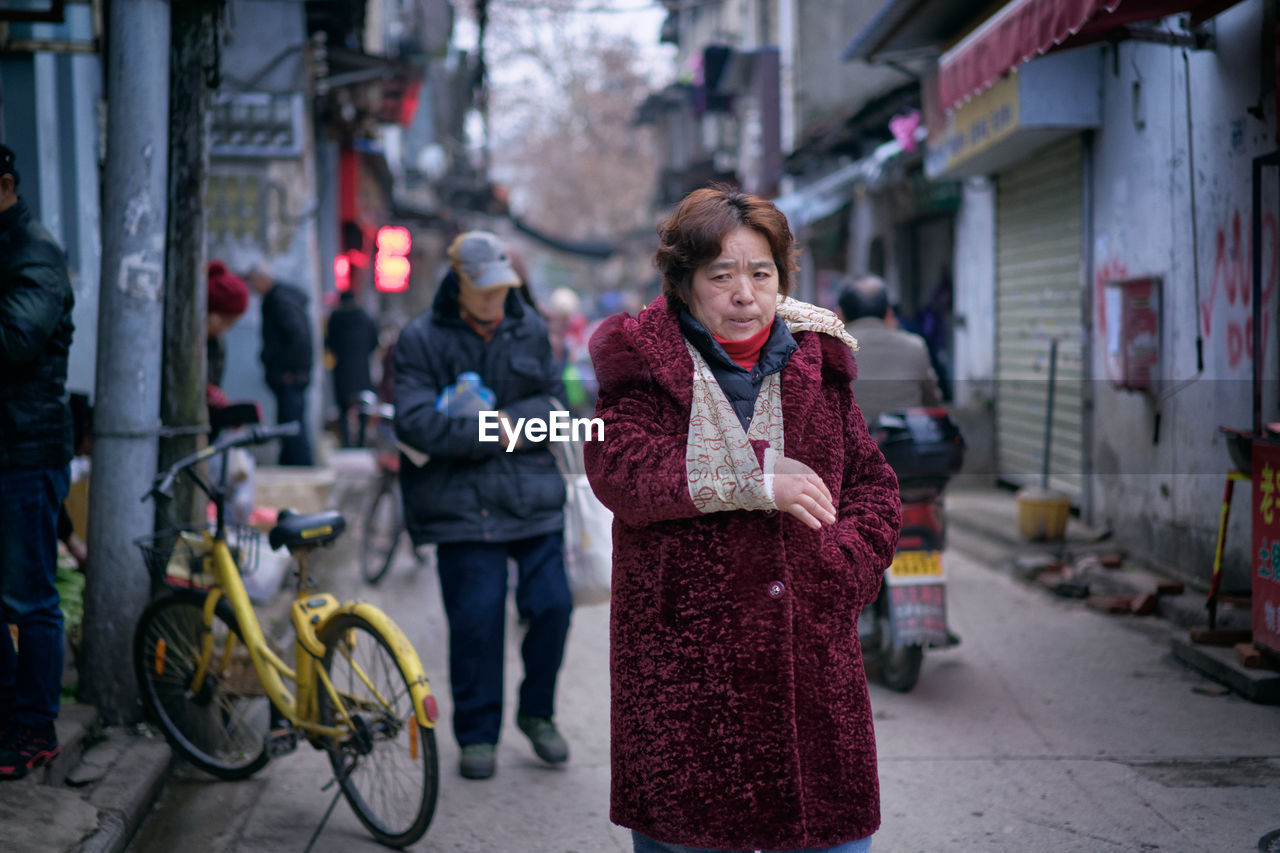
x=694, y=234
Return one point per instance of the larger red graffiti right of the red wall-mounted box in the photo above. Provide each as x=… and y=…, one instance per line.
x=1233, y=272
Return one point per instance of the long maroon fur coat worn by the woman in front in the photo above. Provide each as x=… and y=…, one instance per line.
x=740, y=717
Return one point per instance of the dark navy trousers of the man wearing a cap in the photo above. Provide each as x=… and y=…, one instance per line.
x=474, y=585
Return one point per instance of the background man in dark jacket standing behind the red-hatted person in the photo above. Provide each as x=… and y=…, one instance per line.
x=286, y=358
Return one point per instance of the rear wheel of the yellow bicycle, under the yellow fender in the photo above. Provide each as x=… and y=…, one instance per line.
x=387, y=764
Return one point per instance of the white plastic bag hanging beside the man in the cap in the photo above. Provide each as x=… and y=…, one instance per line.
x=588, y=535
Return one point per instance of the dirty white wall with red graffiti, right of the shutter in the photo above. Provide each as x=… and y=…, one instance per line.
x=1167, y=495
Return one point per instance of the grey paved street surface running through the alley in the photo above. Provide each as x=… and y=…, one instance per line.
x=1052, y=728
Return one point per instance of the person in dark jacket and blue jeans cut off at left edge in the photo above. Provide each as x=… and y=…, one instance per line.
x=35, y=450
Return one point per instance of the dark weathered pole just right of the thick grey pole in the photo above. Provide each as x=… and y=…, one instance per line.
x=193, y=71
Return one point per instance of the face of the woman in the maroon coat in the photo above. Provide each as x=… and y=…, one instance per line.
x=735, y=297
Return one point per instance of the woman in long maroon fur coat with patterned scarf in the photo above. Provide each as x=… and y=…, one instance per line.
x=755, y=518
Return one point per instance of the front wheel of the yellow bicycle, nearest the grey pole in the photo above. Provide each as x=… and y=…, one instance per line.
x=221, y=726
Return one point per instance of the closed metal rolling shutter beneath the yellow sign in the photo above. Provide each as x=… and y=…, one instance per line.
x=1039, y=298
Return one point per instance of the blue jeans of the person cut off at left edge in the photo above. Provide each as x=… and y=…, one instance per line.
x=31, y=677
